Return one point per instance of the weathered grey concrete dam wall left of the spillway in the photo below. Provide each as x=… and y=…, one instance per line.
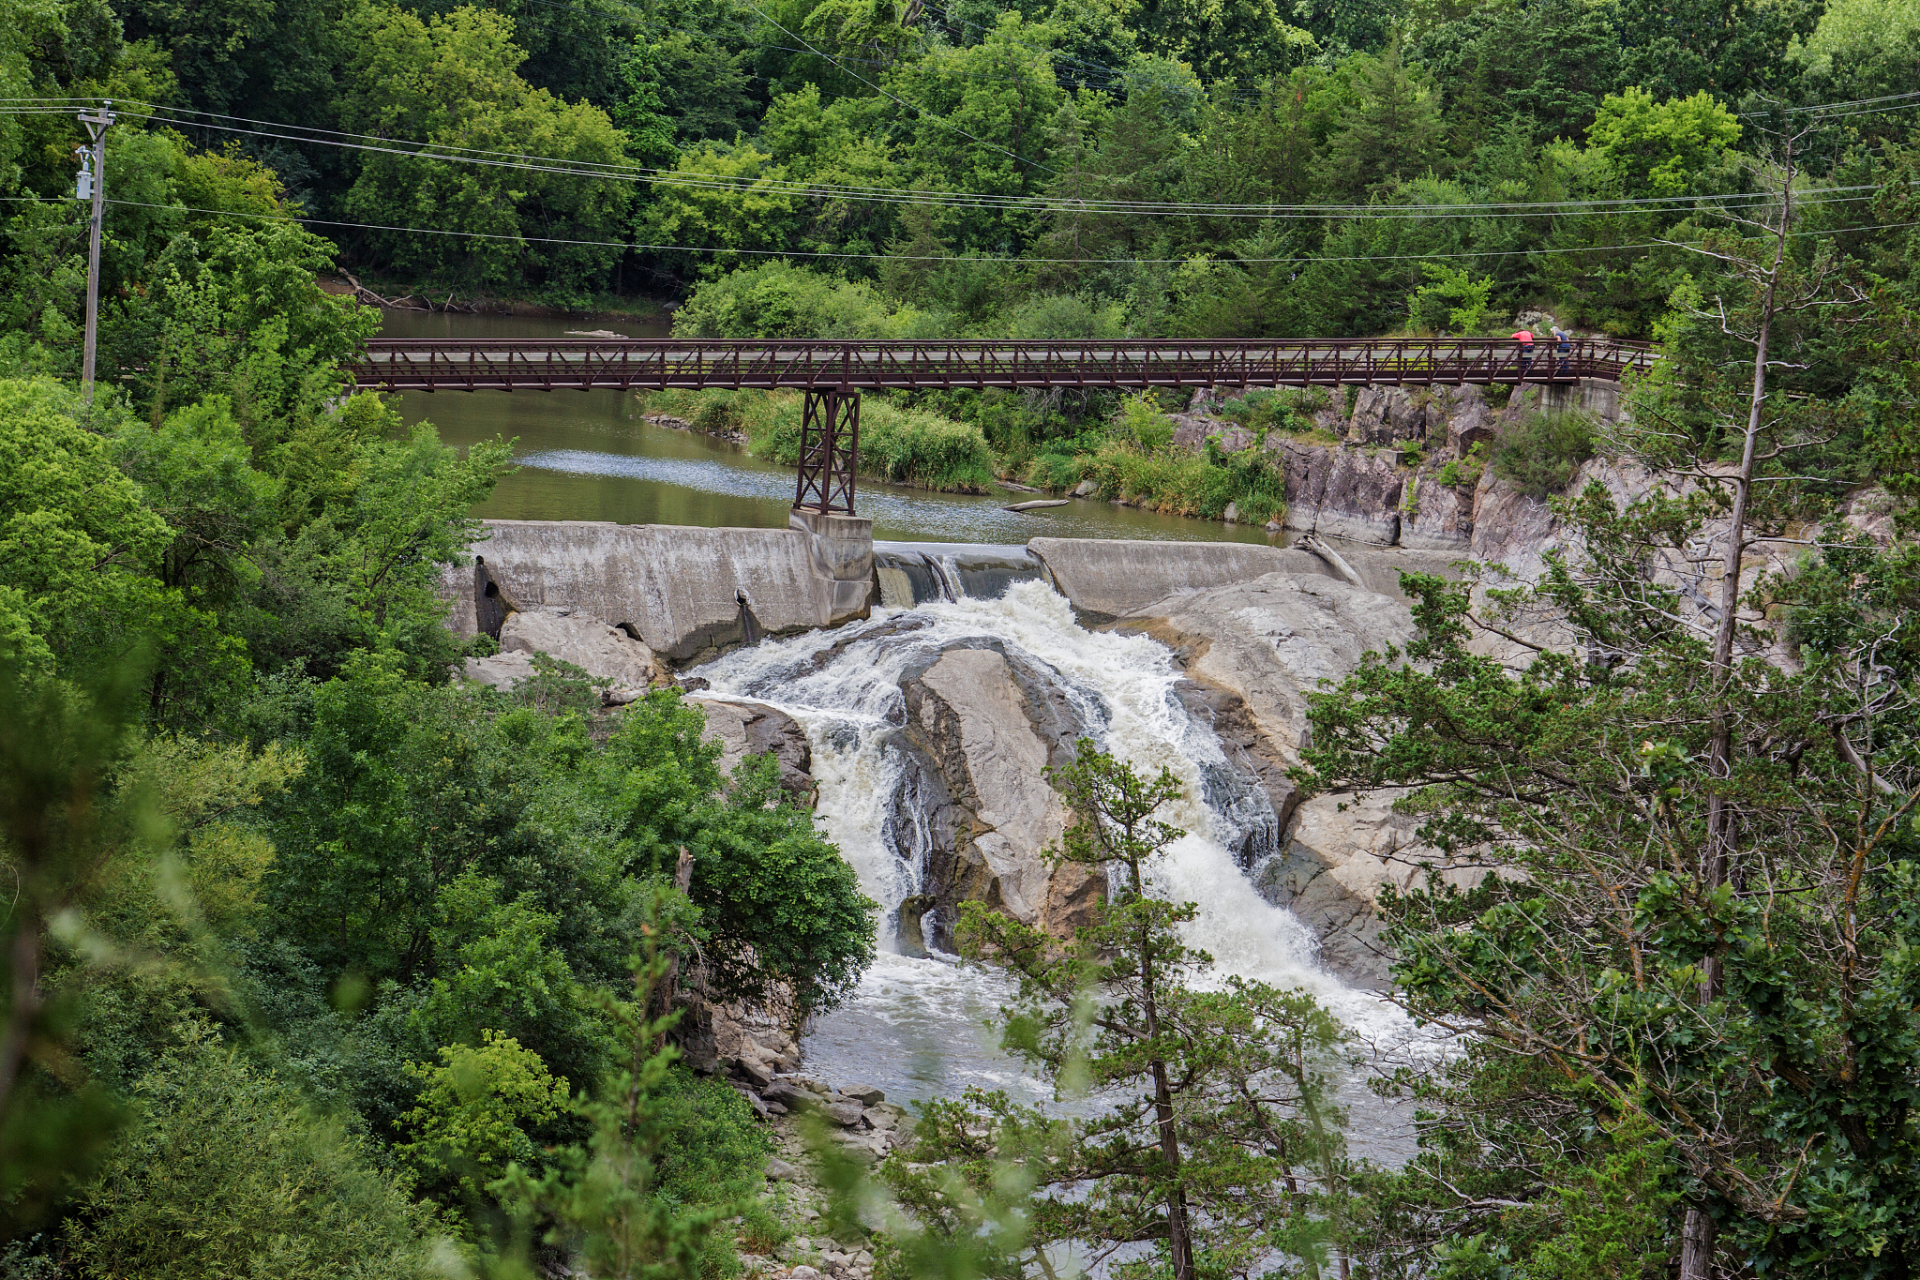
x=690, y=594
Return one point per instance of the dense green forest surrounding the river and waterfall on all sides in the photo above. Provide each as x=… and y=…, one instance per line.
x=322, y=962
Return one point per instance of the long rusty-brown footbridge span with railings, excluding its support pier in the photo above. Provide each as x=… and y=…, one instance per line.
x=552, y=366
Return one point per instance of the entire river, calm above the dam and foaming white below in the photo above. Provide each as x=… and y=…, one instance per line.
x=915, y=1028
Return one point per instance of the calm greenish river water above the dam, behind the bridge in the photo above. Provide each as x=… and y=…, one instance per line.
x=588, y=456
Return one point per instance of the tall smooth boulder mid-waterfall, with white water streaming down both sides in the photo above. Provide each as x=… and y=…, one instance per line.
x=988, y=742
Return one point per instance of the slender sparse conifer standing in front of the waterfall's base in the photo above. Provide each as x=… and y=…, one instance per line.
x=1214, y=1112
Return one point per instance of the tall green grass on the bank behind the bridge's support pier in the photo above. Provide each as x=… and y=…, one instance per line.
x=901, y=446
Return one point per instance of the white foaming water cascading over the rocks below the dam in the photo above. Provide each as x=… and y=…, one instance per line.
x=844, y=688
